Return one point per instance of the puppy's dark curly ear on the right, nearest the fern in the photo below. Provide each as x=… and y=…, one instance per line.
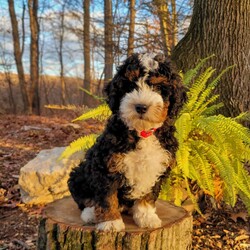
x=177, y=97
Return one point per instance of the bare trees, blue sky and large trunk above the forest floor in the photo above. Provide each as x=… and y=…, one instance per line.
x=48, y=49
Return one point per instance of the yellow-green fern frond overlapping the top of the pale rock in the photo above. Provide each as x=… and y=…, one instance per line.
x=81, y=144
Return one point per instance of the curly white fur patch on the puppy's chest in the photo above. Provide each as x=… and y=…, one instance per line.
x=143, y=166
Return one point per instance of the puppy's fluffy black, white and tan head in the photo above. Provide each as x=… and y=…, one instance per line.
x=145, y=91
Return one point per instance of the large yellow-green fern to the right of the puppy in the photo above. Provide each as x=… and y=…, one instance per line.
x=211, y=147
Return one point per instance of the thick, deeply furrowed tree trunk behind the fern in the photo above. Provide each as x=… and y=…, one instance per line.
x=221, y=28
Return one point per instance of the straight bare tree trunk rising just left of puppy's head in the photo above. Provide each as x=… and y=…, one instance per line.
x=108, y=40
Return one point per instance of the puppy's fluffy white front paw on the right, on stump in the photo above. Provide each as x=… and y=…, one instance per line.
x=144, y=216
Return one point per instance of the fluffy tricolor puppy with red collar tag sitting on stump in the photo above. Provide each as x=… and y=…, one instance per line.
x=125, y=168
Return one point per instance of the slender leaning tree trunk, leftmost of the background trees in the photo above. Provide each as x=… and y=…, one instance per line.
x=18, y=55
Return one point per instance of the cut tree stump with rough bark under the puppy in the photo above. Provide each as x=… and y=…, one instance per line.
x=61, y=228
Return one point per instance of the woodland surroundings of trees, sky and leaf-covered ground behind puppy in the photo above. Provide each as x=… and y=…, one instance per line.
x=49, y=49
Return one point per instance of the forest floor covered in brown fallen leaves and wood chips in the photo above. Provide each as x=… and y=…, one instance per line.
x=22, y=137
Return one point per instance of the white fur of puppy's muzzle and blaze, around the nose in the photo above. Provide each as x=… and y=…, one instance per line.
x=144, y=95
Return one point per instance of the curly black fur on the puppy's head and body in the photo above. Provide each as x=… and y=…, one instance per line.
x=92, y=180
